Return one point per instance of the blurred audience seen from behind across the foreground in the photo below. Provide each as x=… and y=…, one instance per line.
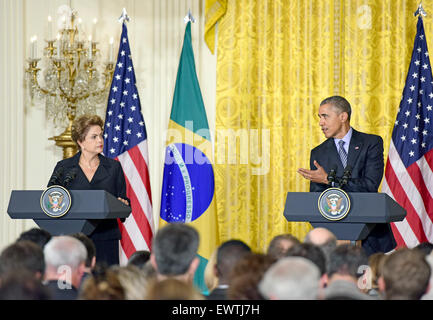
x=39, y=266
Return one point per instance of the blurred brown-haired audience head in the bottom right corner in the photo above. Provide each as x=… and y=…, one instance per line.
x=406, y=274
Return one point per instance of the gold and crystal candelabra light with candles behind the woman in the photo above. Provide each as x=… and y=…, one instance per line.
x=74, y=81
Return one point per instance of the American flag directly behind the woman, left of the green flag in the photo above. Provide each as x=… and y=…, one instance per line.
x=125, y=139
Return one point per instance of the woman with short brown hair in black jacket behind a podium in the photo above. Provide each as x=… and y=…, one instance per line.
x=90, y=170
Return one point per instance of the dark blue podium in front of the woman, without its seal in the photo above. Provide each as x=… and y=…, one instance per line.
x=88, y=208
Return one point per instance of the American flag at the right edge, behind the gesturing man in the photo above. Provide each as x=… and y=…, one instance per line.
x=408, y=172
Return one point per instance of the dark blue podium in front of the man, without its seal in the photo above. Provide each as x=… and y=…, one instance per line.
x=367, y=210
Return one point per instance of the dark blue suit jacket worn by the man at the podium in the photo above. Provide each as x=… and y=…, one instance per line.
x=365, y=157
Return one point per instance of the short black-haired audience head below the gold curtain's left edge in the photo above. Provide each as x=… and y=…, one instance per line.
x=228, y=254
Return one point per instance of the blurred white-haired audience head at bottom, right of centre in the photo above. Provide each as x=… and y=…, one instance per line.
x=291, y=278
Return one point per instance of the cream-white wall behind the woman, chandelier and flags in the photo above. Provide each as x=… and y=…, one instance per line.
x=155, y=31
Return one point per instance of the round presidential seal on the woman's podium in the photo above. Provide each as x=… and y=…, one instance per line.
x=55, y=201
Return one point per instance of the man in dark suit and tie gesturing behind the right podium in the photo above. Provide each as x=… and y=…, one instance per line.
x=348, y=159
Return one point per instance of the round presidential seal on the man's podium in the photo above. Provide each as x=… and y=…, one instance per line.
x=334, y=204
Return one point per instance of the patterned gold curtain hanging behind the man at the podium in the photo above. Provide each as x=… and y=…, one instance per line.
x=276, y=61
